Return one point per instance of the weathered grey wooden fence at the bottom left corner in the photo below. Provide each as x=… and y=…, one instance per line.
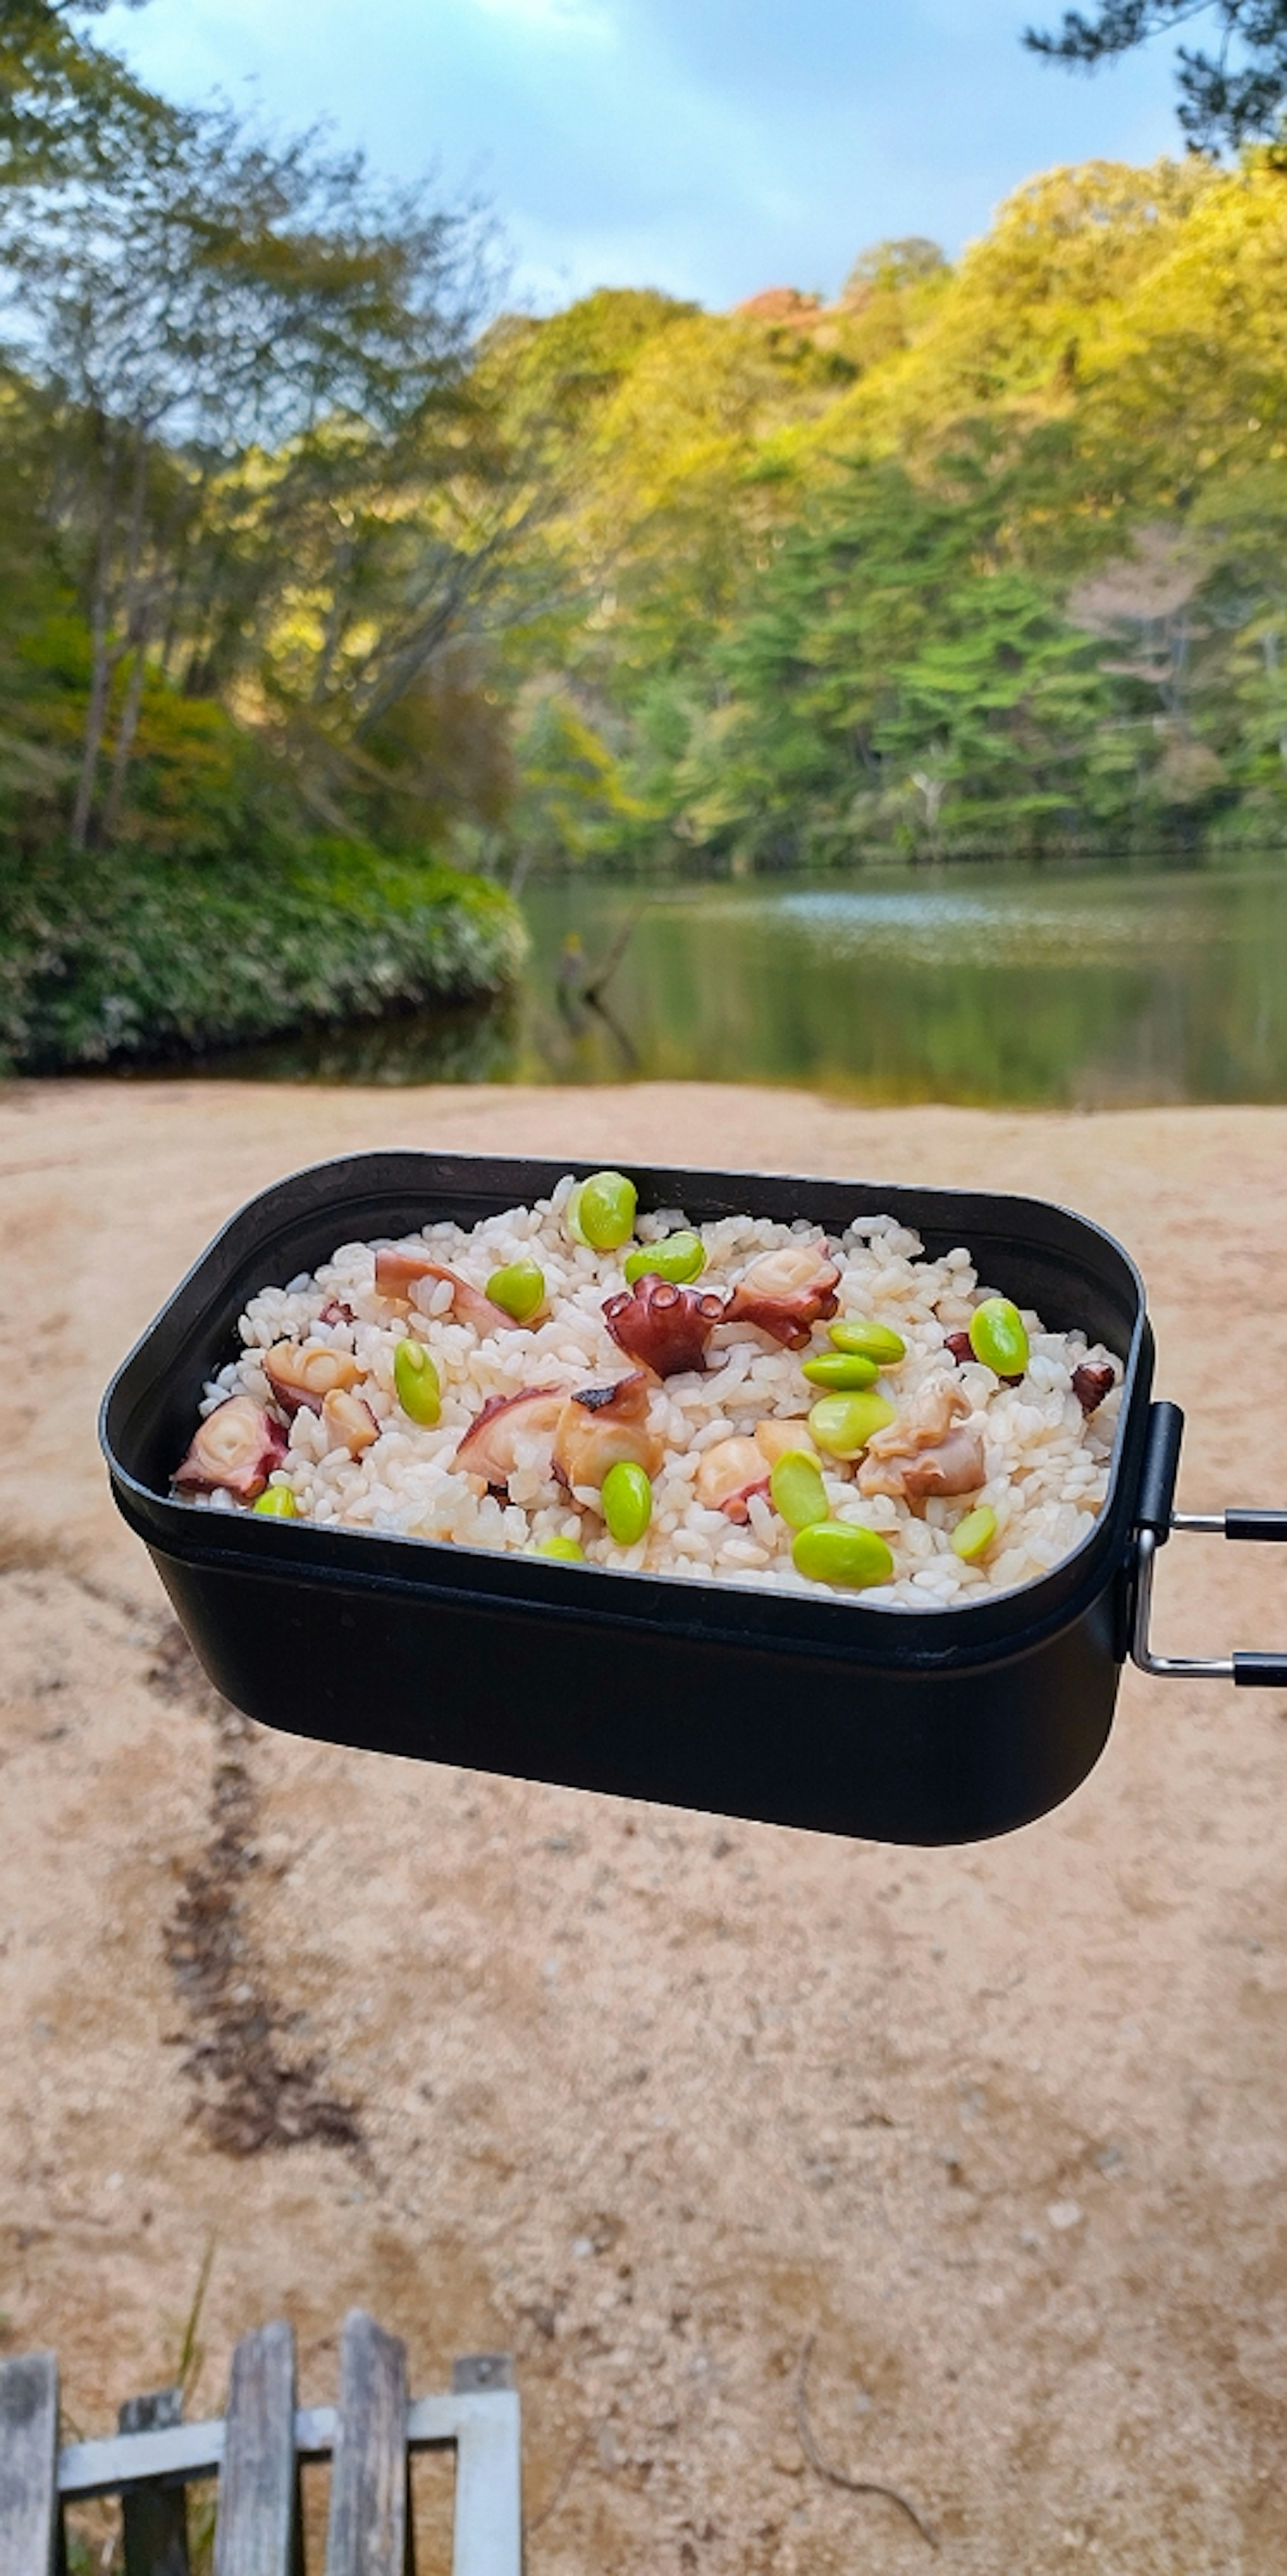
x=256, y=2454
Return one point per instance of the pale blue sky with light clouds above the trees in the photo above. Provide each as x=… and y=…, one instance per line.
x=701, y=146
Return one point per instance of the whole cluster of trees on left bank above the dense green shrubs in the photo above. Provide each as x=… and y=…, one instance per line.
x=259, y=488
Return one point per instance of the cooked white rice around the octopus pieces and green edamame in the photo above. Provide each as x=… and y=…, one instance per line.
x=1046, y=1464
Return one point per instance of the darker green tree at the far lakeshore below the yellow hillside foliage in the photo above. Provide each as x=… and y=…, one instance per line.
x=892, y=676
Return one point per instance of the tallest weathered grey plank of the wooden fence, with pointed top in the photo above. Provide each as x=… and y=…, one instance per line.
x=369, y=2505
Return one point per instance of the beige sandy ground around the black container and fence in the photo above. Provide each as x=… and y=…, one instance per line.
x=647, y=2098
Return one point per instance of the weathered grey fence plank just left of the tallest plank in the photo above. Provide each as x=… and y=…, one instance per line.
x=259, y=2490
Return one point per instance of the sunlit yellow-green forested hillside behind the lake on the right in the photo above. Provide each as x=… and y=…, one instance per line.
x=974, y=560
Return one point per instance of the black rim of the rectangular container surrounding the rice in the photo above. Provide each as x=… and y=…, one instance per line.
x=640, y=1601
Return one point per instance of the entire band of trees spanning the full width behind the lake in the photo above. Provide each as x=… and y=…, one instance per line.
x=302, y=537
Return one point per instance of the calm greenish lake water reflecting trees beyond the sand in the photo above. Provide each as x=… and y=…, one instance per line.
x=972, y=983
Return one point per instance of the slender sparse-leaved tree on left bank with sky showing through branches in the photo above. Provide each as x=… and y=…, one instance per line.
x=256, y=375
